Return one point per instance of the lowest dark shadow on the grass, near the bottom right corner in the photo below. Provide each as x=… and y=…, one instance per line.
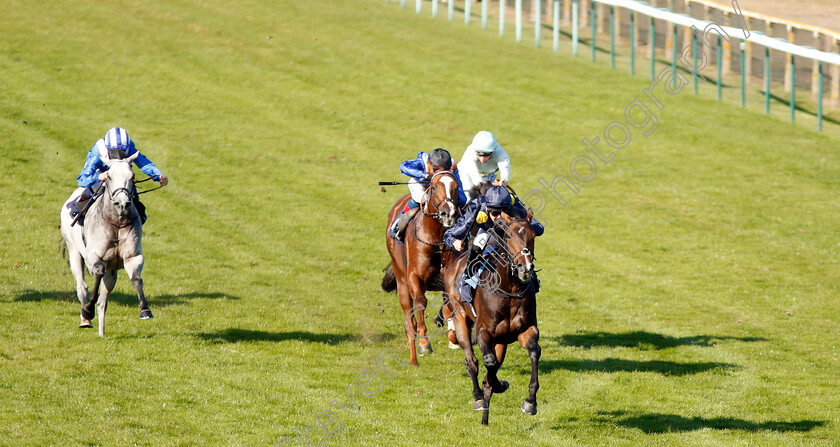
x=665, y=423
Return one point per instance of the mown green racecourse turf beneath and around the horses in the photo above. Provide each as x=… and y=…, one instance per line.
x=689, y=293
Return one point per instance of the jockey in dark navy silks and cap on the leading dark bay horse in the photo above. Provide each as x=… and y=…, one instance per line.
x=483, y=212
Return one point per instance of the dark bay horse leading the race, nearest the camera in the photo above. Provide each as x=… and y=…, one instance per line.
x=505, y=311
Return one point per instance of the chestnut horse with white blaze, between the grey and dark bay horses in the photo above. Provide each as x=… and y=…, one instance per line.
x=416, y=263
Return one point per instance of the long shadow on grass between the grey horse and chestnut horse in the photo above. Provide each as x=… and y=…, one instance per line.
x=234, y=335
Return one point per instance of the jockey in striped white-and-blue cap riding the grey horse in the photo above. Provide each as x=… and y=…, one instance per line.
x=114, y=146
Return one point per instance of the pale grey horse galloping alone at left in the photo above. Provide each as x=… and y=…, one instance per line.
x=108, y=241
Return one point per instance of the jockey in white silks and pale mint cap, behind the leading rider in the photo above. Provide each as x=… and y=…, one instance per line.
x=481, y=161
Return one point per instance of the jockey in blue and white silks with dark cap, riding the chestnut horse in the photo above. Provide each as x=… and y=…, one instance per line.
x=421, y=170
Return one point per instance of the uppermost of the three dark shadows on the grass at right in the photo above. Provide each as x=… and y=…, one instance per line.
x=641, y=339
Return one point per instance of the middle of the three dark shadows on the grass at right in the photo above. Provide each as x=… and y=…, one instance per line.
x=613, y=365
